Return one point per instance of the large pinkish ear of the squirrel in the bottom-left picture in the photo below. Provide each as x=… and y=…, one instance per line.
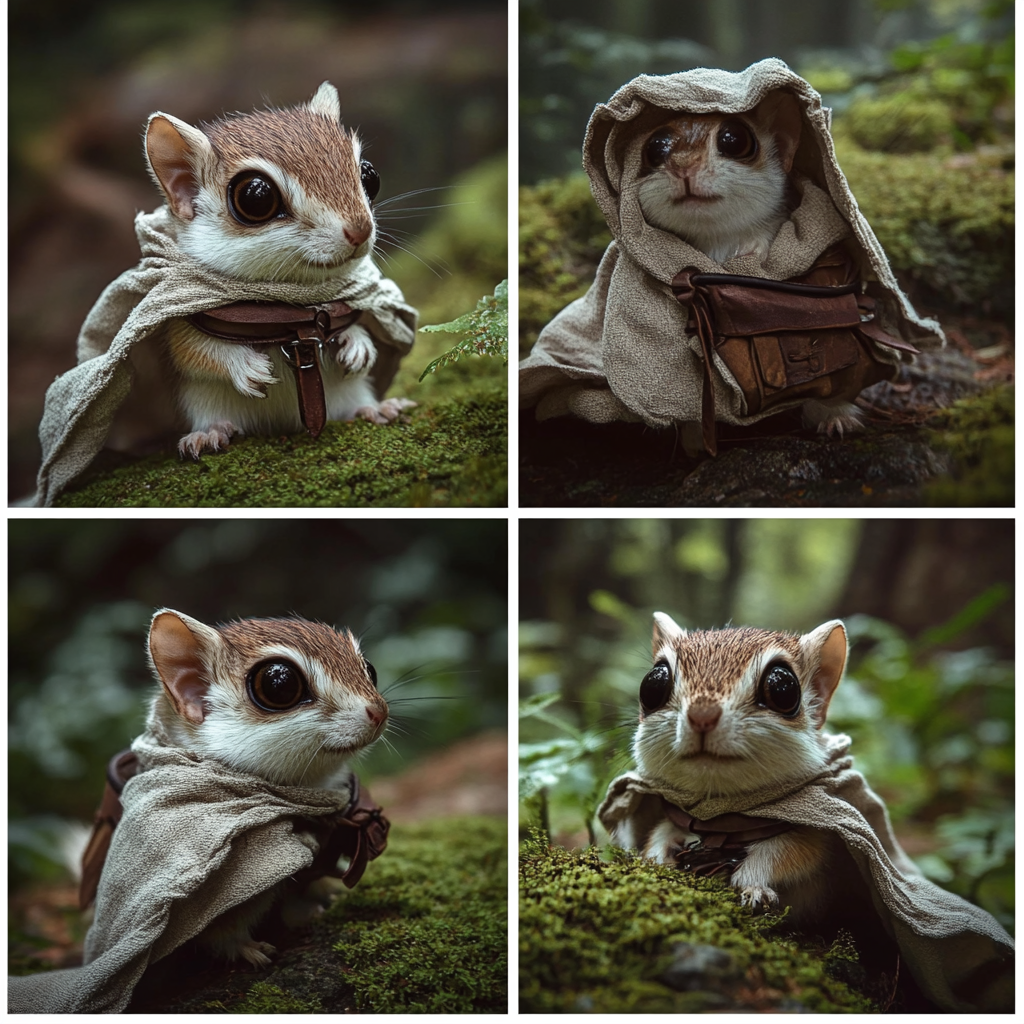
x=181, y=653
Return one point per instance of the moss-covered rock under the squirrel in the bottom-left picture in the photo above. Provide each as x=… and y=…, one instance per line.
x=425, y=931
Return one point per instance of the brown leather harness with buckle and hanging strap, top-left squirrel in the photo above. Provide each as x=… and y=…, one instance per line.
x=301, y=331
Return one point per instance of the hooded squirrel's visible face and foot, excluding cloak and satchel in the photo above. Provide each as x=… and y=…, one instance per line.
x=721, y=183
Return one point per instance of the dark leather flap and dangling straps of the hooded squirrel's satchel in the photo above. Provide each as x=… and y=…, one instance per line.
x=724, y=306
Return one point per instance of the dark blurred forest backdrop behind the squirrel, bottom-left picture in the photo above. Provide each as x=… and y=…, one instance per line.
x=429, y=601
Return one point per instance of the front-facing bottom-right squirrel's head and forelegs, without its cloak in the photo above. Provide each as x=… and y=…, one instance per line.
x=722, y=710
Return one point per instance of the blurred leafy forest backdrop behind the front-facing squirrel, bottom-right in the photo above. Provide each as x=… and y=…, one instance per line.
x=929, y=692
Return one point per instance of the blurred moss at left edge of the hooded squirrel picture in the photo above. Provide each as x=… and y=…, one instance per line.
x=562, y=238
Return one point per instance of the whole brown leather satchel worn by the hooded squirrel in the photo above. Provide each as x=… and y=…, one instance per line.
x=810, y=337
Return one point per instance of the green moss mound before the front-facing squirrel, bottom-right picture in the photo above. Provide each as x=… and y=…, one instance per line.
x=595, y=935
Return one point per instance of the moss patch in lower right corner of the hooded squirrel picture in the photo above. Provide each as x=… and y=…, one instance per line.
x=978, y=433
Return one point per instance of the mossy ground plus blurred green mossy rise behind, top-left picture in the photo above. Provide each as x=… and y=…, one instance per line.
x=453, y=451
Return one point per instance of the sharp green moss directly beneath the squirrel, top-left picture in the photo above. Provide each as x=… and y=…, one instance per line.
x=452, y=452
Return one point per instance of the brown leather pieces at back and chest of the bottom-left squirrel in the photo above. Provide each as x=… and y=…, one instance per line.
x=359, y=833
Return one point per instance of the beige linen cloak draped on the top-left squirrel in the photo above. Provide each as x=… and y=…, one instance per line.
x=82, y=403
